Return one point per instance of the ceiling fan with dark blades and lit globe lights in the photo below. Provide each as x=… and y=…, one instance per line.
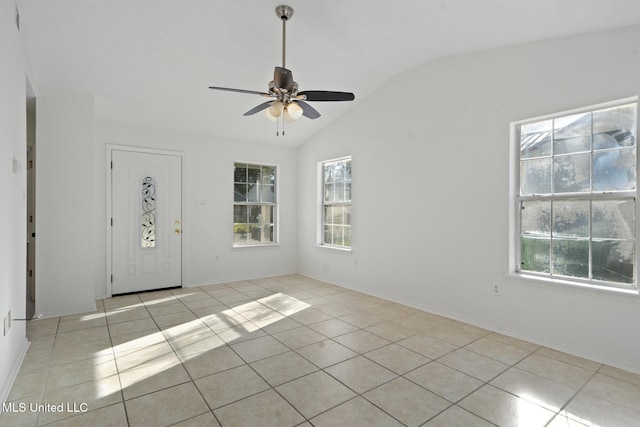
x=286, y=100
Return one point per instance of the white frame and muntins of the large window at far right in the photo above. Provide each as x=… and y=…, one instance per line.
x=515, y=252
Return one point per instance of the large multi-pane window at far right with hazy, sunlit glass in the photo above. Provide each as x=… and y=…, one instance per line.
x=576, y=200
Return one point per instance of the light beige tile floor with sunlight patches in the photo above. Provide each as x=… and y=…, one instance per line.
x=291, y=351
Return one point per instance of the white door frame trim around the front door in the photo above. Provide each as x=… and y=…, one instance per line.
x=109, y=195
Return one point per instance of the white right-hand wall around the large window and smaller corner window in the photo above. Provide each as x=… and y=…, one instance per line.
x=431, y=190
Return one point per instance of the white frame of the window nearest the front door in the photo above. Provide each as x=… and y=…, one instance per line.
x=275, y=205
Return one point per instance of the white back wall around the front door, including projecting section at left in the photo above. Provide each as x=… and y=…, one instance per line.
x=71, y=203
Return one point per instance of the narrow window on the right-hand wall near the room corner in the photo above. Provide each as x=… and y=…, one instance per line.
x=336, y=203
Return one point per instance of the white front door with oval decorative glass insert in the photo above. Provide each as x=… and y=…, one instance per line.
x=146, y=223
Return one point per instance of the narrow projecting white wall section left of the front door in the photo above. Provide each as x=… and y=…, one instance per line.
x=64, y=202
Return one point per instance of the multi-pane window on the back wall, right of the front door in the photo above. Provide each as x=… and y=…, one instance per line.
x=255, y=204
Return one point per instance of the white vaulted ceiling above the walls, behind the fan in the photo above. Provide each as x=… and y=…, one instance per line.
x=151, y=61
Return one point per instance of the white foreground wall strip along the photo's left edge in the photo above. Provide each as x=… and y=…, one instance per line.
x=12, y=196
